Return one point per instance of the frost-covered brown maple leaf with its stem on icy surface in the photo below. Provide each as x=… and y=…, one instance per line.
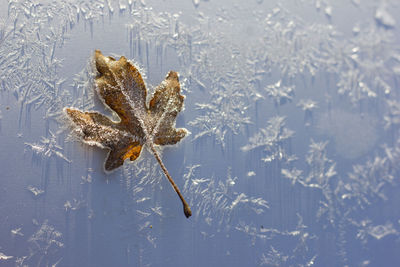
x=121, y=87
